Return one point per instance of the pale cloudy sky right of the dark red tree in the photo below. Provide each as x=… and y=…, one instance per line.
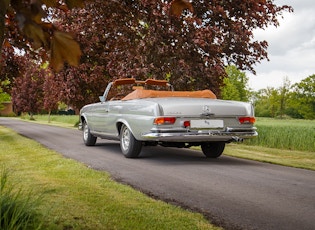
x=291, y=48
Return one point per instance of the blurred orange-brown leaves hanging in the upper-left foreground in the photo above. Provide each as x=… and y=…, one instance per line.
x=32, y=19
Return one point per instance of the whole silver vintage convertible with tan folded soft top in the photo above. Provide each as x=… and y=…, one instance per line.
x=139, y=113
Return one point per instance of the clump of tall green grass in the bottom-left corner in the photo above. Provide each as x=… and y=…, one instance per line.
x=17, y=208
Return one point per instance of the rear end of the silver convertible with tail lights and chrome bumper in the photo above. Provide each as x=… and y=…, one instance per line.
x=202, y=120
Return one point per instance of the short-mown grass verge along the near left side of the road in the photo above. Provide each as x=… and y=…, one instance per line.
x=77, y=197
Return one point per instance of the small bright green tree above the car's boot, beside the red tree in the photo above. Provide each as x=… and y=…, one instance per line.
x=235, y=85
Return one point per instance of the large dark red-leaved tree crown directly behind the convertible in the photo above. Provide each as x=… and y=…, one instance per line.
x=142, y=39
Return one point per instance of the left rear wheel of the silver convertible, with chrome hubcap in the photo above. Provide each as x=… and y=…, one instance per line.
x=129, y=146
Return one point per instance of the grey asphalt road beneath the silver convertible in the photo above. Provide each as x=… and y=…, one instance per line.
x=231, y=192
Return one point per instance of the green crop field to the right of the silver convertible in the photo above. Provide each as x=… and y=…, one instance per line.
x=285, y=134
